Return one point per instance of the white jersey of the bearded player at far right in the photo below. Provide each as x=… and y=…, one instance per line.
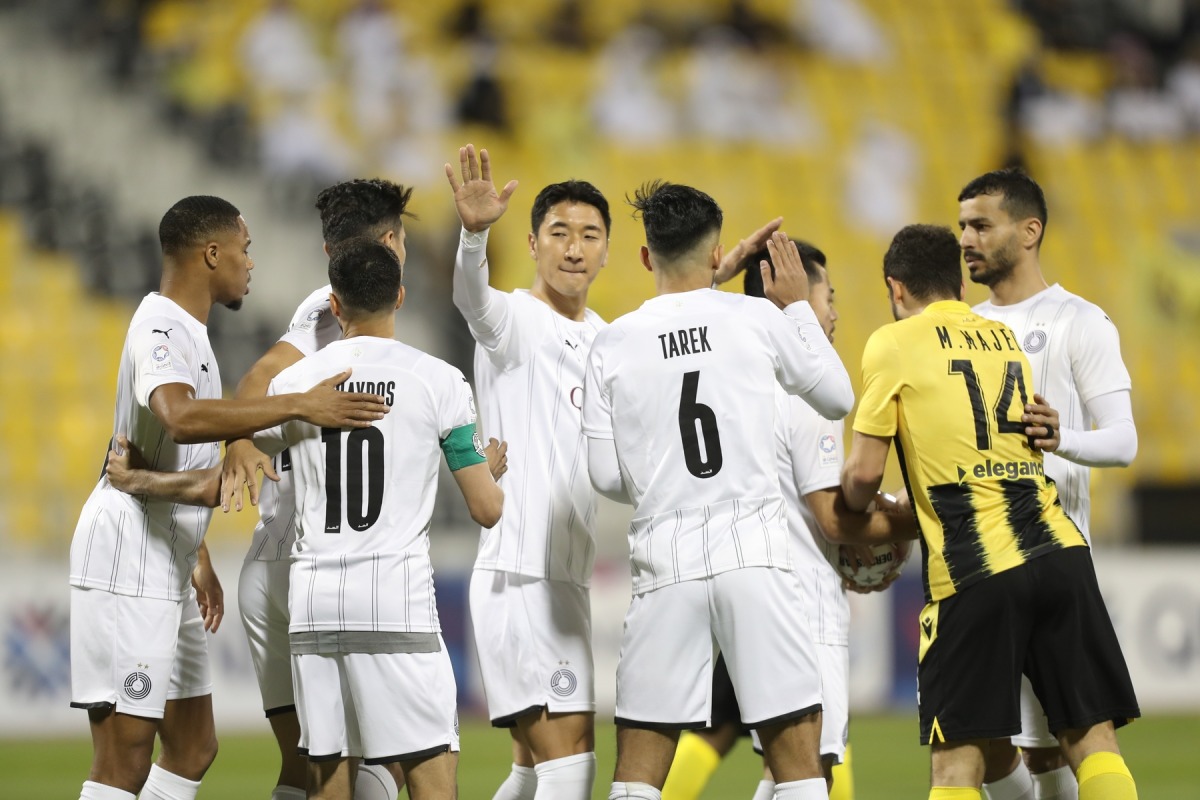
x=1076, y=354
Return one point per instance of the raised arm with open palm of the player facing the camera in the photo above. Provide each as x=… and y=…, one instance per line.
x=479, y=207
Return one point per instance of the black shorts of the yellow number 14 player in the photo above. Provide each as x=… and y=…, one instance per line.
x=1046, y=619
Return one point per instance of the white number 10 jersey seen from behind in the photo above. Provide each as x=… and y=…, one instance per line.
x=365, y=496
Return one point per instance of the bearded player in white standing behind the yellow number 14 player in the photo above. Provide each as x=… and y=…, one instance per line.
x=1076, y=354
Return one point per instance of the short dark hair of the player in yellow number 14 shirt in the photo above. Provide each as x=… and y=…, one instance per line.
x=928, y=261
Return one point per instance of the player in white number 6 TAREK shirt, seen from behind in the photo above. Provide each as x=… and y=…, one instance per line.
x=680, y=413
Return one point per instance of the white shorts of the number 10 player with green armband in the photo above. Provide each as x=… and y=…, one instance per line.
x=382, y=708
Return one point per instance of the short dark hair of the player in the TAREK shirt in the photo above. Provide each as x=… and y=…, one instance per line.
x=676, y=218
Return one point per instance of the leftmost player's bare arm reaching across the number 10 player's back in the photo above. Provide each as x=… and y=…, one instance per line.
x=190, y=420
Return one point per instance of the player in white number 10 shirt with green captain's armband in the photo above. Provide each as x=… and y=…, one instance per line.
x=374, y=678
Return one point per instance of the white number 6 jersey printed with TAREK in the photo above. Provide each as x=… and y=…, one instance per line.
x=686, y=387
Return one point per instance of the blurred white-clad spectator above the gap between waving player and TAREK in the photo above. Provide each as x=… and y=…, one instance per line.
x=631, y=105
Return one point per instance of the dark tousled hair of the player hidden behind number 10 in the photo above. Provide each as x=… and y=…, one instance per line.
x=362, y=208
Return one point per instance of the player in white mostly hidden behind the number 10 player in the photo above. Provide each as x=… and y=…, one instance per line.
x=374, y=209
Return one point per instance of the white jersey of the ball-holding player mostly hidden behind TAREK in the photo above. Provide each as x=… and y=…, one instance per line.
x=811, y=459
